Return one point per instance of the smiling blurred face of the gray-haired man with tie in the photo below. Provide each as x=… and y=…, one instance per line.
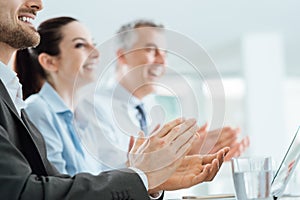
x=144, y=63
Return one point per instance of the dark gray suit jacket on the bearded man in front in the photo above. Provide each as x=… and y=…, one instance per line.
x=25, y=172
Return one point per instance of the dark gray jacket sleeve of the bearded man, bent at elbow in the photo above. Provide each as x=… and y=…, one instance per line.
x=18, y=182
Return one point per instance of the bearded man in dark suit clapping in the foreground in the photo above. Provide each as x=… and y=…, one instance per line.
x=25, y=172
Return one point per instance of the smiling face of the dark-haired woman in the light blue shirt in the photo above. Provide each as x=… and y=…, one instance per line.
x=78, y=57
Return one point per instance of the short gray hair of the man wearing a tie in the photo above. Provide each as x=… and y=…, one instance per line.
x=126, y=35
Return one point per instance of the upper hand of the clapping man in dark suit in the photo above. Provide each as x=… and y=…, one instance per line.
x=160, y=155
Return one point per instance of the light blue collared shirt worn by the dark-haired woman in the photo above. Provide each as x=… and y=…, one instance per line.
x=55, y=121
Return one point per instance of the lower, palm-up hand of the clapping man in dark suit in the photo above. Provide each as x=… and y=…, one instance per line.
x=193, y=170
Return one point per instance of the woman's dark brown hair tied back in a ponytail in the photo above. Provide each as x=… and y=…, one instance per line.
x=30, y=72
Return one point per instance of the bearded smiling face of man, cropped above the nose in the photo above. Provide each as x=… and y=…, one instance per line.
x=16, y=29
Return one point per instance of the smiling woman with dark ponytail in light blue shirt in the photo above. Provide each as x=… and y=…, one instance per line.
x=63, y=62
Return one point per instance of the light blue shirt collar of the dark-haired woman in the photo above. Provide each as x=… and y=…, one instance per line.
x=53, y=99
